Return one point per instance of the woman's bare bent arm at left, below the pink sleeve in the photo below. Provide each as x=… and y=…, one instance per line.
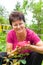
x=9, y=50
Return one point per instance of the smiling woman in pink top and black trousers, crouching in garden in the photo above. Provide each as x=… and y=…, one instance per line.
x=19, y=33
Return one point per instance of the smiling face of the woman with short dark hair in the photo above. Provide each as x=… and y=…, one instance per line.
x=18, y=26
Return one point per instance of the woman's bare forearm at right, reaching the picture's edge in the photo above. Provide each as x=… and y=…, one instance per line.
x=36, y=48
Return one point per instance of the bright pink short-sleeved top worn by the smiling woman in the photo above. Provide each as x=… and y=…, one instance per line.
x=31, y=36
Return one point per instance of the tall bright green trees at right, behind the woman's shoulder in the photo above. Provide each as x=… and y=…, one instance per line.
x=37, y=20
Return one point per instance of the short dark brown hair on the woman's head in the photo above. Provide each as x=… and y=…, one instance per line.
x=16, y=16
